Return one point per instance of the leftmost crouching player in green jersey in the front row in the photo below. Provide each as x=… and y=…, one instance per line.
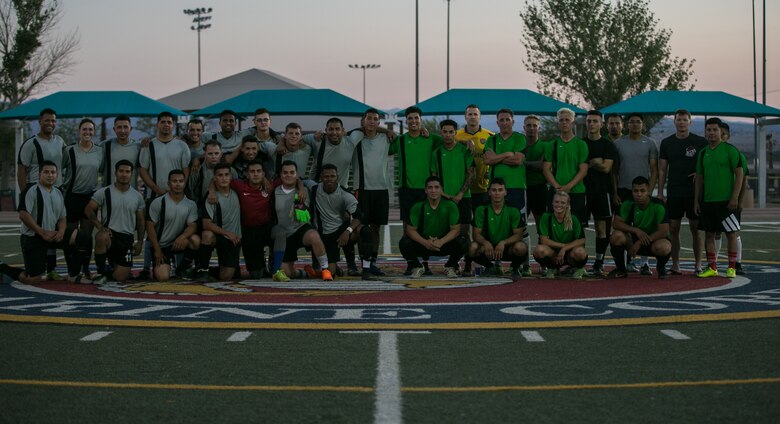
x=433, y=230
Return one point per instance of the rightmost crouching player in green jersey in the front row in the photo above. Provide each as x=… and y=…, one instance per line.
x=641, y=227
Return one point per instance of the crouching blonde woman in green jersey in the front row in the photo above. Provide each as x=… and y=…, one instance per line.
x=561, y=239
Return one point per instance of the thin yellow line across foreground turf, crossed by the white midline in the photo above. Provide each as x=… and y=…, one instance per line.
x=363, y=389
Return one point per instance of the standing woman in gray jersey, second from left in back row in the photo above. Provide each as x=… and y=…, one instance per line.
x=83, y=164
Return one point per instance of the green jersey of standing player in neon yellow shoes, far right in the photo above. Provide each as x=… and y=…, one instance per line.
x=718, y=168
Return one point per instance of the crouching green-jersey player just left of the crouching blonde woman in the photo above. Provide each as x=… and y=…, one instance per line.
x=498, y=232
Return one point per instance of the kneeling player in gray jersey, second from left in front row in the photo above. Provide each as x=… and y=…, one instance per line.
x=122, y=212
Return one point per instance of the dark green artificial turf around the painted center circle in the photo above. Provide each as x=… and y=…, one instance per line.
x=724, y=371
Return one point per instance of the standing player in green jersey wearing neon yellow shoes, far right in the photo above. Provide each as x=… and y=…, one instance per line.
x=719, y=177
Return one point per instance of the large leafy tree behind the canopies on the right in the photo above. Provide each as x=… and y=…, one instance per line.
x=599, y=51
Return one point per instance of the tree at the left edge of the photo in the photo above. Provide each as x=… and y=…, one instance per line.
x=33, y=56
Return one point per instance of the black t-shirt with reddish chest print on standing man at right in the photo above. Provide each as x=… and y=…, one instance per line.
x=681, y=154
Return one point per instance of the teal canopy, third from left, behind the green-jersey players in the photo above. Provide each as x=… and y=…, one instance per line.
x=520, y=101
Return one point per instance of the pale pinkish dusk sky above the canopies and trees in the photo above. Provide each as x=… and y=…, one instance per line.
x=148, y=47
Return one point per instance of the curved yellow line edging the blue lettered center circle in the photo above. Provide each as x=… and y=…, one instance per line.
x=672, y=319
